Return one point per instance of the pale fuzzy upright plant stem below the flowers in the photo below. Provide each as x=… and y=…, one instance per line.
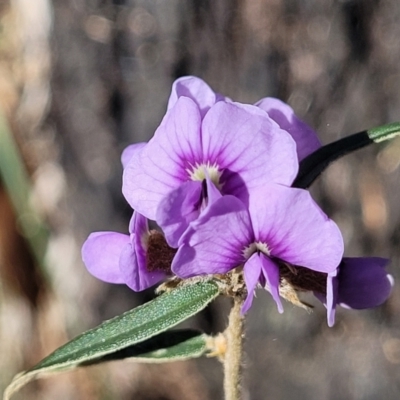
x=233, y=355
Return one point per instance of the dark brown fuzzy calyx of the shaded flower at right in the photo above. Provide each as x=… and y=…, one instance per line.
x=303, y=279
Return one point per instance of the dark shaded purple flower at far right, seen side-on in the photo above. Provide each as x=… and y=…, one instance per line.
x=357, y=283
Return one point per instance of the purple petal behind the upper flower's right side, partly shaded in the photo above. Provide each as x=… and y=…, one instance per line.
x=306, y=139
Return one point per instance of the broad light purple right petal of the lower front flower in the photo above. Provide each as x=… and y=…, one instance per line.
x=294, y=228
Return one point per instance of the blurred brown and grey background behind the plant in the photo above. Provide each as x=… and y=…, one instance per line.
x=80, y=80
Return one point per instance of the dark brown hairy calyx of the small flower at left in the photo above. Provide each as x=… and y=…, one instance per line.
x=159, y=255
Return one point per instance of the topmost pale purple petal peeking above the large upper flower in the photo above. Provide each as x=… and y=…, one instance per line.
x=197, y=90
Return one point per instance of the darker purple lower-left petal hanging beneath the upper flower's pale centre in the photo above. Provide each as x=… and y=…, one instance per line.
x=177, y=209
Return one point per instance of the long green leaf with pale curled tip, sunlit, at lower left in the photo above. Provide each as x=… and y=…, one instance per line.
x=128, y=329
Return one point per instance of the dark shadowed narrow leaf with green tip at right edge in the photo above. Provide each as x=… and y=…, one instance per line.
x=314, y=164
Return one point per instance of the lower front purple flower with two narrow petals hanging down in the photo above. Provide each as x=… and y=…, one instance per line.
x=279, y=224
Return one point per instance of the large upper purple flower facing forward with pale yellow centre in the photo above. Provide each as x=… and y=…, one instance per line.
x=238, y=146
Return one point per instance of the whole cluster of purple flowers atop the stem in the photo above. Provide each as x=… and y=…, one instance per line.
x=216, y=178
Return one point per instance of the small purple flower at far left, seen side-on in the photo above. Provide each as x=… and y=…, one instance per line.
x=117, y=258
